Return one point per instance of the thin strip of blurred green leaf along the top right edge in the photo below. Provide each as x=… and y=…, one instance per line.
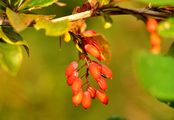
x=158, y=2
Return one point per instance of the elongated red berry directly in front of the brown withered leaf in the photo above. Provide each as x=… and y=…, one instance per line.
x=92, y=50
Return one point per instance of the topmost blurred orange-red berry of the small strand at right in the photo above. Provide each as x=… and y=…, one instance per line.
x=151, y=25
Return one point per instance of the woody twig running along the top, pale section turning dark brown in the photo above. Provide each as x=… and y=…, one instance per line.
x=113, y=10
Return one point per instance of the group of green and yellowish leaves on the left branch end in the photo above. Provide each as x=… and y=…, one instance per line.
x=19, y=19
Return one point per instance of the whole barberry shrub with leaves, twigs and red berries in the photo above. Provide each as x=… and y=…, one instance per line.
x=153, y=67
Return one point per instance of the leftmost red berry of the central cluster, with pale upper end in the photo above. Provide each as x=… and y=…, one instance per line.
x=71, y=68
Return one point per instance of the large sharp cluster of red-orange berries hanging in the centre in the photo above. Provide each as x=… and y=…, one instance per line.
x=84, y=92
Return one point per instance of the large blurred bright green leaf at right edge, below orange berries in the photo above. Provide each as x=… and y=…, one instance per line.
x=156, y=74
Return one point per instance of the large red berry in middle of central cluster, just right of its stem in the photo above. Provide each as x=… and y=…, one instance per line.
x=95, y=70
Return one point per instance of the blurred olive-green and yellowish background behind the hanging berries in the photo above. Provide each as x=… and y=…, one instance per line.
x=40, y=92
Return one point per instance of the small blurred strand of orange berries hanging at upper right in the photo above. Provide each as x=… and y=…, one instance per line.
x=155, y=40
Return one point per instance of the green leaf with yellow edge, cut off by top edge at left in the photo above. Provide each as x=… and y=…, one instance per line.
x=36, y=4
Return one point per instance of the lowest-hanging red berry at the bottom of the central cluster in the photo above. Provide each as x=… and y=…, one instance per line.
x=86, y=100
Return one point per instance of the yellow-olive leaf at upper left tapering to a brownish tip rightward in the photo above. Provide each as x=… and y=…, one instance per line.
x=22, y=21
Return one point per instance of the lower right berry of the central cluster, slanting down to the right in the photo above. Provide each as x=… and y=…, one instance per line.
x=102, y=97
